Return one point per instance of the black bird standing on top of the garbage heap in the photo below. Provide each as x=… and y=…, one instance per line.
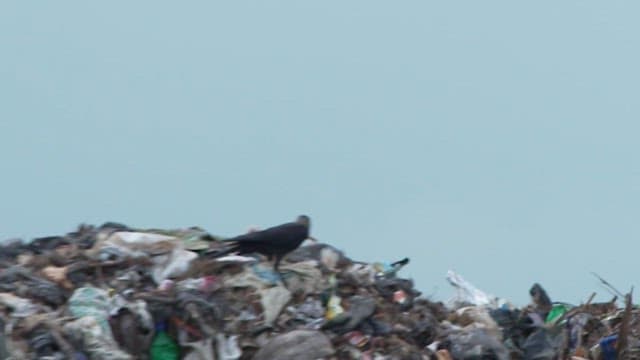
x=275, y=241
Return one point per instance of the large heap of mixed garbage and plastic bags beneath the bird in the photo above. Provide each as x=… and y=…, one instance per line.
x=116, y=293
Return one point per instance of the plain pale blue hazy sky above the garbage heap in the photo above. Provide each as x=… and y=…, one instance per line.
x=495, y=138
